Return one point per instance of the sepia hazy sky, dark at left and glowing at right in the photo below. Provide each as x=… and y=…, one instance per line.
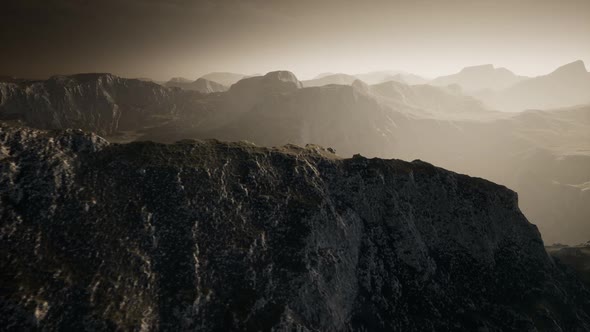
x=160, y=39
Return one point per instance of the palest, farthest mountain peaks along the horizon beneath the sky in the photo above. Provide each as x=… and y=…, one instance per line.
x=499, y=88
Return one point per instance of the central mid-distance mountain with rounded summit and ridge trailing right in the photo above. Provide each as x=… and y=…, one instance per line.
x=350, y=118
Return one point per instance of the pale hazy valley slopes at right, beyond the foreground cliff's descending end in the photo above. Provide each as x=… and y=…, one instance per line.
x=543, y=155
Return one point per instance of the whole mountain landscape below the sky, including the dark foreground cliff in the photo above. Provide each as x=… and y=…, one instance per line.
x=307, y=223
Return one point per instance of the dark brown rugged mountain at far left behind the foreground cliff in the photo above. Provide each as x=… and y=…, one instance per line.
x=99, y=102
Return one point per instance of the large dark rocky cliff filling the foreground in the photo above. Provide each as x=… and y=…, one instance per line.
x=229, y=236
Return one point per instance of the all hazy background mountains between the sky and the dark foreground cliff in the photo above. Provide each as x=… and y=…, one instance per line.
x=543, y=155
